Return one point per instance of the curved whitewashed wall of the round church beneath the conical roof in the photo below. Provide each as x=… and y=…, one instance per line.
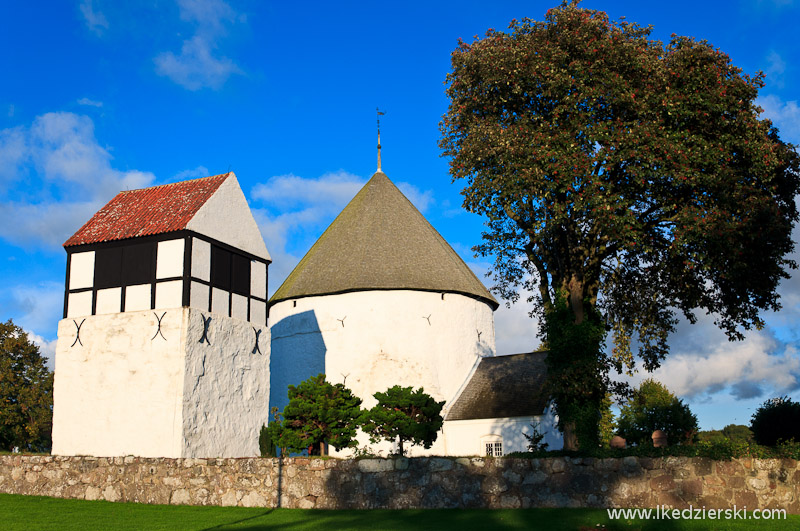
x=372, y=340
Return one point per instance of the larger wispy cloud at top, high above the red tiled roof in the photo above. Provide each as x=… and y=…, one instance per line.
x=197, y=65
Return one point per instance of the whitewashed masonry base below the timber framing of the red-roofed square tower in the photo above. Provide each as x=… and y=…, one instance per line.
x=126, y=392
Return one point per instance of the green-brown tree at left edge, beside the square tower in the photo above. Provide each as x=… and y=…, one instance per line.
x=26, y=392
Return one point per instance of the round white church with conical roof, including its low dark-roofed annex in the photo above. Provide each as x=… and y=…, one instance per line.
x=381, y=299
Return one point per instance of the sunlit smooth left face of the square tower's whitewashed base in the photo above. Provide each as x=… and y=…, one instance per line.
x=119, y=393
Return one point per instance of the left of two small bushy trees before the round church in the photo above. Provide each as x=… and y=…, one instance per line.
x=319, y=411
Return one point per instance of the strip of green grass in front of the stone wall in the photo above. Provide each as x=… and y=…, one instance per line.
x=40, y=513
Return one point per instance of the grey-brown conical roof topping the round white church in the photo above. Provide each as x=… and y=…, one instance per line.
x=380, y=241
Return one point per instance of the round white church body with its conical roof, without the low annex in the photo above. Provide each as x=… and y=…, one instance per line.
x=380, y=299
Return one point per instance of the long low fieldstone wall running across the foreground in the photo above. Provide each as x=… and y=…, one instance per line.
x=412, y=483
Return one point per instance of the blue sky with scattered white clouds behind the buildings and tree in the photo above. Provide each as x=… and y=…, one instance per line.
x=100, y=96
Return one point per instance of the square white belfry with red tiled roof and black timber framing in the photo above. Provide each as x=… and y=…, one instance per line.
x=164, y=347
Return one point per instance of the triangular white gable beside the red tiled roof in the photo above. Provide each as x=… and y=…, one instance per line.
x=226, y=217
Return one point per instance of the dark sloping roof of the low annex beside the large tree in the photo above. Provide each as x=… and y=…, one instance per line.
x=503, y=386
